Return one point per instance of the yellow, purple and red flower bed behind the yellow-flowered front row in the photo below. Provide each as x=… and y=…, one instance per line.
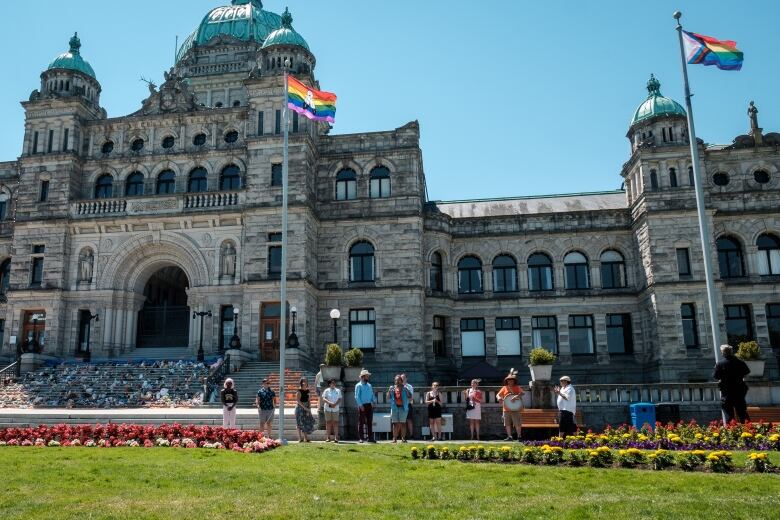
x=681, y=436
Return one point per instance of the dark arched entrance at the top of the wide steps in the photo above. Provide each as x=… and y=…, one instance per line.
x=164, y=319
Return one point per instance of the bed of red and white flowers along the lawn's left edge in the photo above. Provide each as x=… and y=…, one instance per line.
x=136, y=436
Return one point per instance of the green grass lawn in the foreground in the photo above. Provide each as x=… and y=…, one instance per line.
x=355, y=482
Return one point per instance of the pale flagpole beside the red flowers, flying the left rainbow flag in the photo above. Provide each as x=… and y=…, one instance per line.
x=283, y=280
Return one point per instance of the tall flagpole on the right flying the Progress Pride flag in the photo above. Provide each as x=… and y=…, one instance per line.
x=704, y=228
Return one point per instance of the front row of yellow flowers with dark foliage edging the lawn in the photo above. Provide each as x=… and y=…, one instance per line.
x=719, y=461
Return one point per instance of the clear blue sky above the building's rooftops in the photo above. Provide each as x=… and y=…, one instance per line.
x=571, y=75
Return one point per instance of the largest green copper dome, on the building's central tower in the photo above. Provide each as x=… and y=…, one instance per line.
x=243, y=20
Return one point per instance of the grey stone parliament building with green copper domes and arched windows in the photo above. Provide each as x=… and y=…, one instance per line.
x=146, y=218
